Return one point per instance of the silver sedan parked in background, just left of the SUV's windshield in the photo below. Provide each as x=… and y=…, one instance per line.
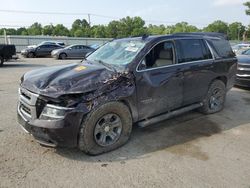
x=72, y=51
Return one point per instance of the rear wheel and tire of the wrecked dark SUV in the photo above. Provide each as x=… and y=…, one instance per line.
x=215, y=99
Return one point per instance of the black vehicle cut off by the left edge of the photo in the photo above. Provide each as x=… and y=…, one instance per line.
x=6, y=52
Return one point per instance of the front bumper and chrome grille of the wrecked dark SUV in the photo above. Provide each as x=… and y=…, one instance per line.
x=61, y=131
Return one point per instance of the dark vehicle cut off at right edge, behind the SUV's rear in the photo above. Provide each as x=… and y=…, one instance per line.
x=243, y=73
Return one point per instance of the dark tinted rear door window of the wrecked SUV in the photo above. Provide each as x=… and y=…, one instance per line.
x=192, y=50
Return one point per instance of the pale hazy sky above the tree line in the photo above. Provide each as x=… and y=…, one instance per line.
x=196, y=12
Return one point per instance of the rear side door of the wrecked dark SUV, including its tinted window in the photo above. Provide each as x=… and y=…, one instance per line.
x=197, y=63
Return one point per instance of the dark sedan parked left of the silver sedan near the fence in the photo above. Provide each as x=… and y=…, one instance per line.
x=40, y=50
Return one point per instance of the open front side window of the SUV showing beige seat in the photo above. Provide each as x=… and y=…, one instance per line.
x=160, y=56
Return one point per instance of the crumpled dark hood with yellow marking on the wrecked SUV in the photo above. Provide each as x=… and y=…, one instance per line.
x=66, y=79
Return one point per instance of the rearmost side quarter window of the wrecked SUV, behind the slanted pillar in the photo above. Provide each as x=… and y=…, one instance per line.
x=222, y=47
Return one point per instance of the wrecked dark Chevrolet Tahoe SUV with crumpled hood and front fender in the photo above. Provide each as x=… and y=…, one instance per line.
x=141, y=80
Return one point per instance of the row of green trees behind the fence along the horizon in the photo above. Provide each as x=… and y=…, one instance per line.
x=128, y=26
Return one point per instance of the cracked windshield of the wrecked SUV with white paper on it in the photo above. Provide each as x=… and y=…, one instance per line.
x=119, y=52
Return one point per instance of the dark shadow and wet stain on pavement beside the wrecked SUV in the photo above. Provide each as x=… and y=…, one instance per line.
x=175, y=135
